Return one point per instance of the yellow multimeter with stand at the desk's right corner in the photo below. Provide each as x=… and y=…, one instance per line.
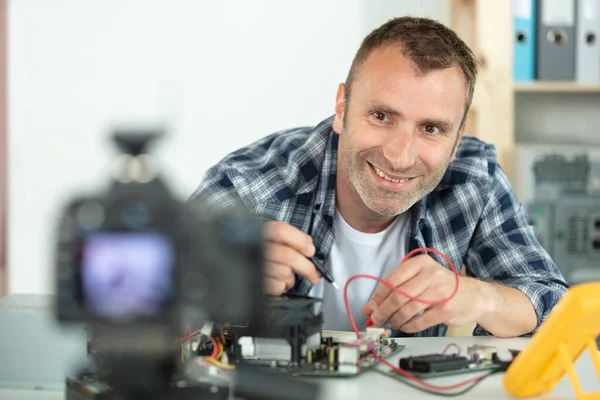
x=570, y=329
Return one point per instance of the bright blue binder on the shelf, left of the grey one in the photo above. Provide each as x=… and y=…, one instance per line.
x=524, y=15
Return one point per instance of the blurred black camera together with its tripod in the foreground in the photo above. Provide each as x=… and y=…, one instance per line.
x=136, y=264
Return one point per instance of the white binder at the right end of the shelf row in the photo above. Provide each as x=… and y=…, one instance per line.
x=587, y=46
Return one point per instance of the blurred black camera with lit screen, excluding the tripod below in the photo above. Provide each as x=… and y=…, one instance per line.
x=137, y=256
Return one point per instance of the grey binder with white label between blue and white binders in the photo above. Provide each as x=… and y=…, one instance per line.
x=556, y=40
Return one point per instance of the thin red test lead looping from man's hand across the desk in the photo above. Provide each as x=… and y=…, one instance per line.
x=422, y=384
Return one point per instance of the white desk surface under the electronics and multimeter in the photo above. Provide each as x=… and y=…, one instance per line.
x=373, y=385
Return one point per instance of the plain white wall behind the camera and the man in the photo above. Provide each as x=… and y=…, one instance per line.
x=221, y=74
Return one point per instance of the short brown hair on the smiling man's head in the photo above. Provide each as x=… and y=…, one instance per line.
x=427, y=43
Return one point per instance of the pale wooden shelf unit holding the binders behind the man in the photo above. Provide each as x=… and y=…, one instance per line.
x=496, y=116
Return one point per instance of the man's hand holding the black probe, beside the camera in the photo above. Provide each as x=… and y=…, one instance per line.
x=286, y=252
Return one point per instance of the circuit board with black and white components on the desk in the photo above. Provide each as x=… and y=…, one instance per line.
x=294, y=343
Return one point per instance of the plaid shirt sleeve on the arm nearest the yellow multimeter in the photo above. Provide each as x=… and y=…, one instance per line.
x=505, y=249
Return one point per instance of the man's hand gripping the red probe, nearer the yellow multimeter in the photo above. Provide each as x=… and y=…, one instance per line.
x=422, y=277
